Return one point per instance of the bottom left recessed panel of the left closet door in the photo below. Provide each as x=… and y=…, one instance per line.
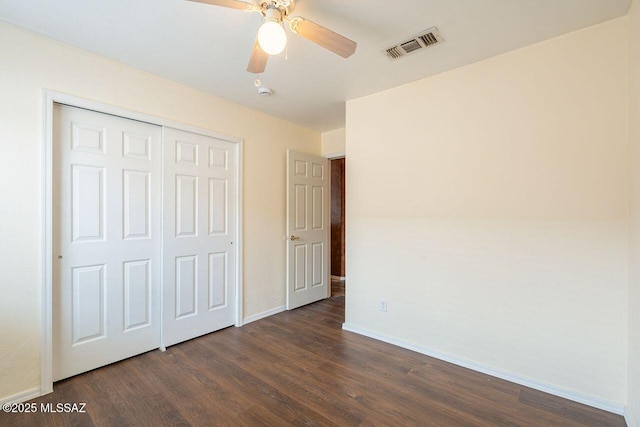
x=88, y=285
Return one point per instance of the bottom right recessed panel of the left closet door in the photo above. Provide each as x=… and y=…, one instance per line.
x=137, y=294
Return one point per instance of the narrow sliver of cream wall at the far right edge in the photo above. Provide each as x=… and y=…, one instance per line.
x=634, y=264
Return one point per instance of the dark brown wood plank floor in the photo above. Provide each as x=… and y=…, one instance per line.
x=300, y=368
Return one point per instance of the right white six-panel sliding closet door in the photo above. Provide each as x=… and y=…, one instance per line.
x=200, y=177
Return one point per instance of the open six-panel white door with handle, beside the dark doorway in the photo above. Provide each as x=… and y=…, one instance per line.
x=307, y=229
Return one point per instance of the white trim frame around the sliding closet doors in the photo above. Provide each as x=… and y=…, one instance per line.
x=46, y=287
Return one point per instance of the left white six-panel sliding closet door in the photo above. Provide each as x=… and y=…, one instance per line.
x=106, y=239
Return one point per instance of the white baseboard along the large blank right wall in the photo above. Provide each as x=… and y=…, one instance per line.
x=508, y=376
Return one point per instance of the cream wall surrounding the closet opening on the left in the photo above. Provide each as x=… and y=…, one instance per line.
x=31, y=63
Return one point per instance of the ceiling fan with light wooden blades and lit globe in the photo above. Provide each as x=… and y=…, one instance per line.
x=272, y=38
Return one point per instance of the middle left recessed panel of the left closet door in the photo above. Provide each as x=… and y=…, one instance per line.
x=87, y=198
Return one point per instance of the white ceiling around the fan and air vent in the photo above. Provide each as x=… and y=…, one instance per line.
x=208, y=47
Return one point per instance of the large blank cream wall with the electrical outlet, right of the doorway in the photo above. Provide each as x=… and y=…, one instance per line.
x=491, y=211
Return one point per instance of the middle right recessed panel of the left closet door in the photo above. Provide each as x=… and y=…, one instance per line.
x=136, y=201
